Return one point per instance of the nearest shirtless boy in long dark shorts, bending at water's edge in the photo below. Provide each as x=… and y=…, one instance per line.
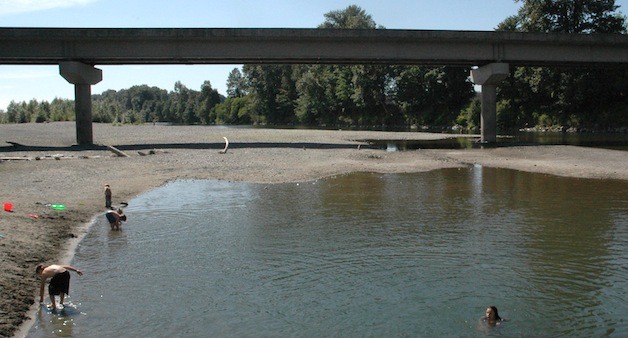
x=59, y=281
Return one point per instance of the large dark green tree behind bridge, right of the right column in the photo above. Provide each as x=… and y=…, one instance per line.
x=568, y=97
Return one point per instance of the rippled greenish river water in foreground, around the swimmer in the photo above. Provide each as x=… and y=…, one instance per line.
x=359, y=255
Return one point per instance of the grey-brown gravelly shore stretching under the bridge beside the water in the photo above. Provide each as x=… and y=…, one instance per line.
x=50, y=170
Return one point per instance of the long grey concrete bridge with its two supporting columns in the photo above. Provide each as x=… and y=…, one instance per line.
x=78, y=50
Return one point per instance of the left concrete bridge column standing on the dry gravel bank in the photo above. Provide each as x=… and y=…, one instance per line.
x=83, y=76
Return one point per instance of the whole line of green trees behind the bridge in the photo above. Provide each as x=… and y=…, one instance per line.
x=383, y=95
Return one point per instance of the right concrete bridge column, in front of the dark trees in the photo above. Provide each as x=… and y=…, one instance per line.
x=489, y=76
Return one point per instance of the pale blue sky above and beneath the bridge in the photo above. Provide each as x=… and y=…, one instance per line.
x=23, y=83
